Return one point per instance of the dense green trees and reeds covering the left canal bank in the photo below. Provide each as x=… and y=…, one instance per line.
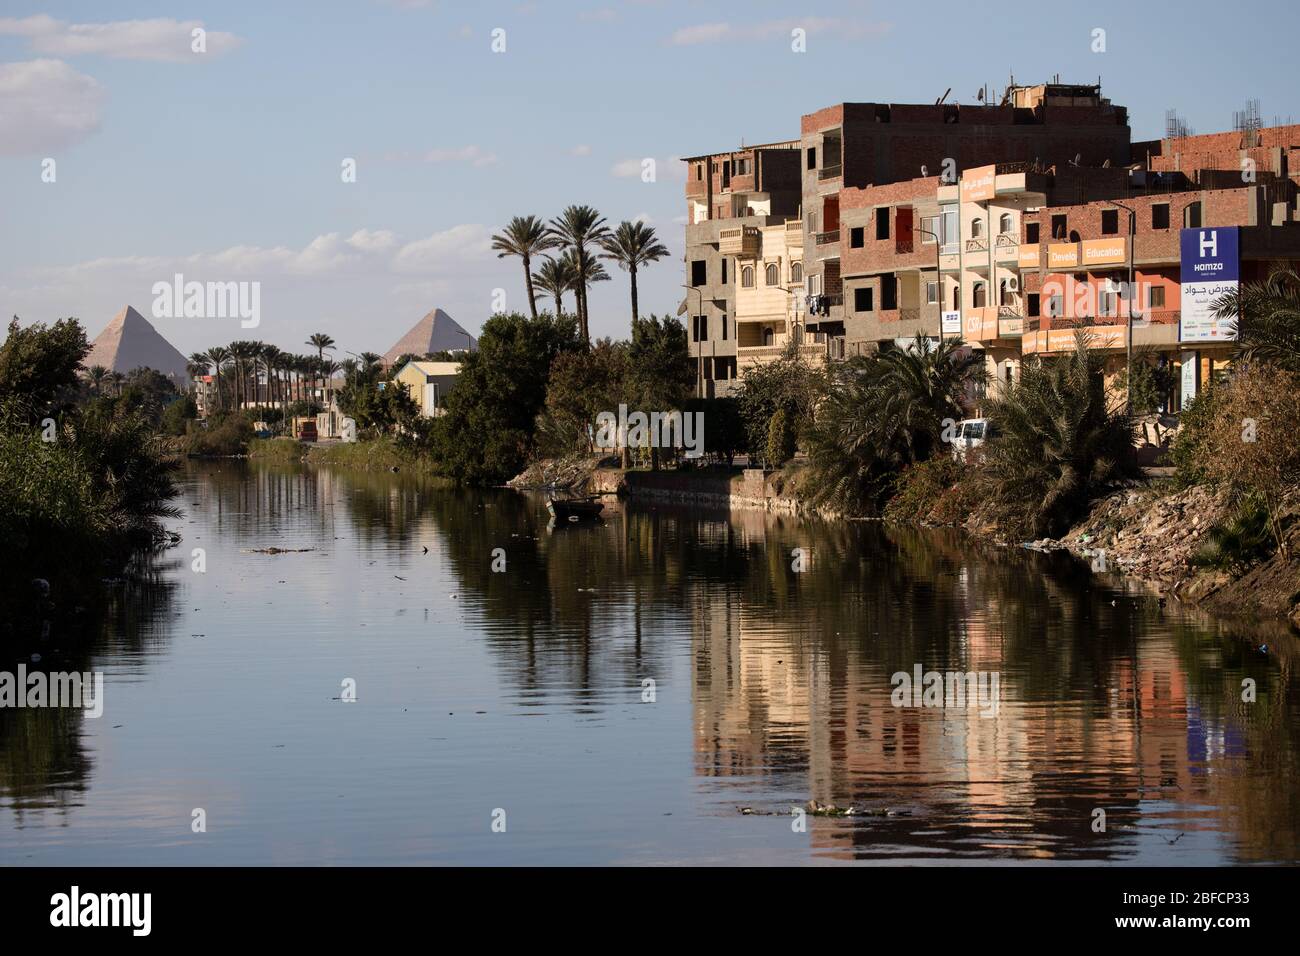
x=85, y=477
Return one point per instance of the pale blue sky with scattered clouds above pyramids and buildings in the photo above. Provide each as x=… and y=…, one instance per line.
x=227, y=166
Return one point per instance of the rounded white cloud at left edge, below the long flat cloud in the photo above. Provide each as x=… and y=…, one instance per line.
x=47, y=107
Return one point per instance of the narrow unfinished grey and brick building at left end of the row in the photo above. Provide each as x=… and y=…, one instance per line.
x=727, y=196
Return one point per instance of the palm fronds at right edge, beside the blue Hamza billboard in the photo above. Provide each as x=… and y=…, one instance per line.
x=1268, y=315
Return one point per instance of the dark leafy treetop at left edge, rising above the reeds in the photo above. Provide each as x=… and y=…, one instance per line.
x=40, y=365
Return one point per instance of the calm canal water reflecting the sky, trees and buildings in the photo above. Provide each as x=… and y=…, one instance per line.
x=665, y=687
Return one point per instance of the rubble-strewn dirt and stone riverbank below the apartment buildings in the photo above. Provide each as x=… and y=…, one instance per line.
x=1151, y=533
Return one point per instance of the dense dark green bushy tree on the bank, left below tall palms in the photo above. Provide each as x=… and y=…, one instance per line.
x=488, y=430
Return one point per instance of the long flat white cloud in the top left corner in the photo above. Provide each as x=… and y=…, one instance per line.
x=162, y=40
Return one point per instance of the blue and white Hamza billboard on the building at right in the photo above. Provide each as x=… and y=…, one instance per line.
x=1211, y=269
